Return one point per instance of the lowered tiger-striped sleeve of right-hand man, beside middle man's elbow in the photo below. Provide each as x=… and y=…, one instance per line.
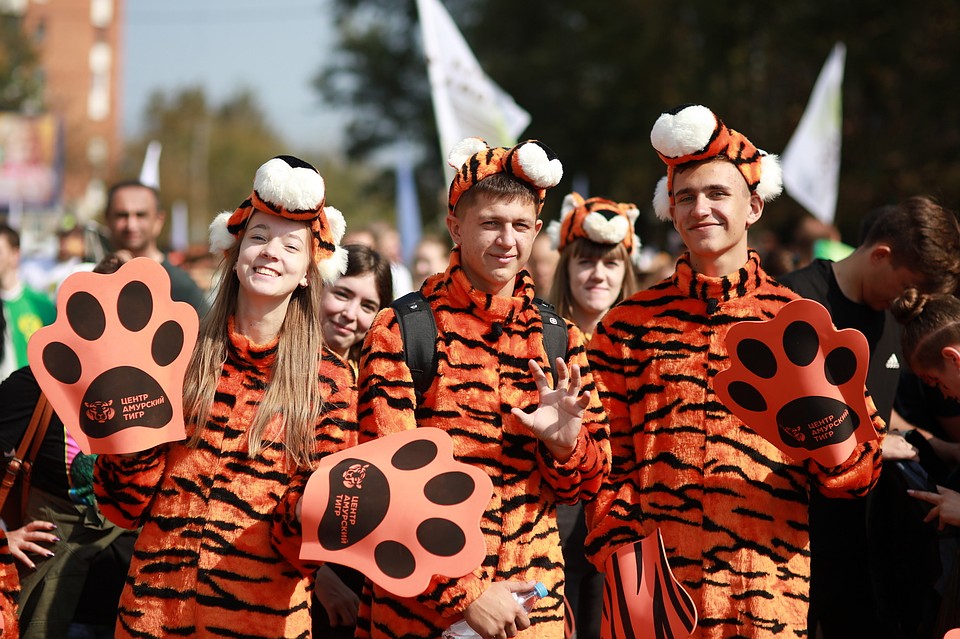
x=614, y=516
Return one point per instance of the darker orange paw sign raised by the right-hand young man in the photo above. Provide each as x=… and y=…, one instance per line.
x=799, y=382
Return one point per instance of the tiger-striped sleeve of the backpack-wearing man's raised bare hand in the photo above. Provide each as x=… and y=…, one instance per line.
x=581, y=476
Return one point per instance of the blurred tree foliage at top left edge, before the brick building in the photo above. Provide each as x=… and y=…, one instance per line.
x=19, y=65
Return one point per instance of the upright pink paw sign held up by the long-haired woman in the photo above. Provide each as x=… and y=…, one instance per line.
x=113, y=362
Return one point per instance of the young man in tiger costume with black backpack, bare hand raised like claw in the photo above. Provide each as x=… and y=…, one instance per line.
x=541, y=442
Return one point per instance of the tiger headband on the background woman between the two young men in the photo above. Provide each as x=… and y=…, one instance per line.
x=598, y=220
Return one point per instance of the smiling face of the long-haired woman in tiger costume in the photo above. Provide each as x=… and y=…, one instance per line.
x=274, y=256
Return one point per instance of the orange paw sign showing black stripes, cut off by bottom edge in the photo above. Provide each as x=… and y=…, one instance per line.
x=641, y=597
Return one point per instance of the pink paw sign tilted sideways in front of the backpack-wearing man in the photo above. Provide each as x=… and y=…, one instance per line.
x=399, y=509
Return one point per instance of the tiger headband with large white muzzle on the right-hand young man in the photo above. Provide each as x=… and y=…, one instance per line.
x=692, y=133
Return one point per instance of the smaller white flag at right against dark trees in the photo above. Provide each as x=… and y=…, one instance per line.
x=811, y=160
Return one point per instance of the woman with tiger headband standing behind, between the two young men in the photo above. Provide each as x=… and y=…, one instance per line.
x=597, y=268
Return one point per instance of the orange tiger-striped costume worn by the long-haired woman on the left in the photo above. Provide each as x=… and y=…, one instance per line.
x=218, y=555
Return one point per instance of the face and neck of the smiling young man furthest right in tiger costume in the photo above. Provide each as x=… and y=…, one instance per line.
x=713, y=210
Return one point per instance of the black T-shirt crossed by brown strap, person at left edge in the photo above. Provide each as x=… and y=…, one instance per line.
x=18, y=396
